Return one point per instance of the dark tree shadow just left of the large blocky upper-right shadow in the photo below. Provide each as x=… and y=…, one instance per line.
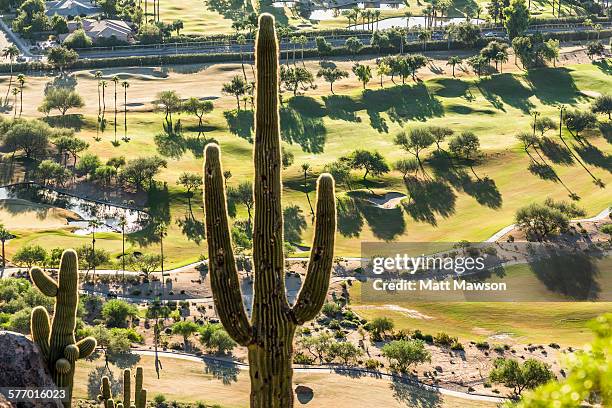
x=506, y=89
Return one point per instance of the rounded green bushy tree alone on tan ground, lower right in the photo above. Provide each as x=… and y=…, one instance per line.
x=520, y=377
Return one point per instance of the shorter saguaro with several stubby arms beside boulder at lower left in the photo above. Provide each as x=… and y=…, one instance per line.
x=56, y=340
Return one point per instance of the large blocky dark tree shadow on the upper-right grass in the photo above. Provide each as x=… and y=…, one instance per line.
x=553, y=85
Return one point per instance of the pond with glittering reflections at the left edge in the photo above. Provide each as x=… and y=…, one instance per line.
x=30, y=198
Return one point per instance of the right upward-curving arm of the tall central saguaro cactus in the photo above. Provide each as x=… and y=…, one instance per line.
x=314, y=290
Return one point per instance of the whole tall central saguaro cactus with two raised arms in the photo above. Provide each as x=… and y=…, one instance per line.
x=268, y=335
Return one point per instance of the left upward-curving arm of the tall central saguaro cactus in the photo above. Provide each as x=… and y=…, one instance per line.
x=223, y=273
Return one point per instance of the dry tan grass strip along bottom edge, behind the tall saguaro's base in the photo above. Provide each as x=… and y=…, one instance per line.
x=229, y=387
